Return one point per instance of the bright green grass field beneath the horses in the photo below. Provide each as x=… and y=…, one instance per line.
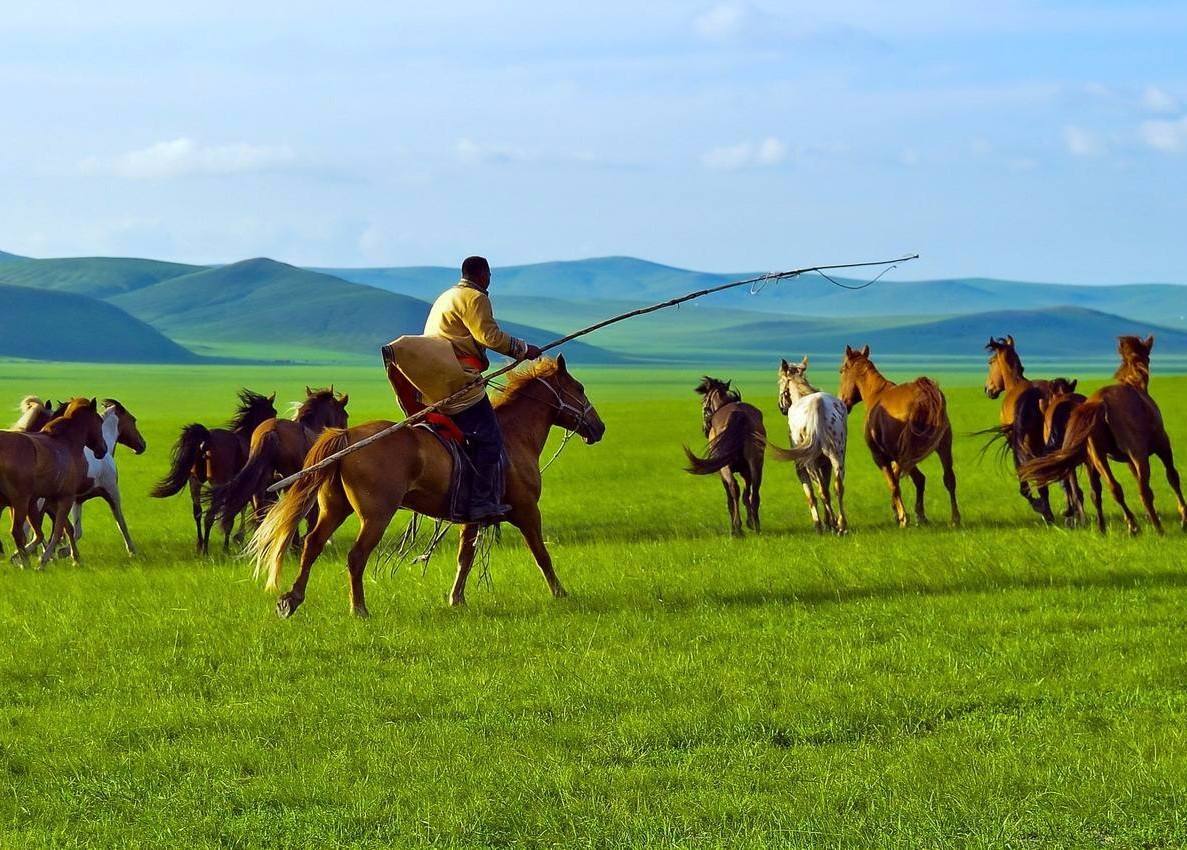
x=1000, y=686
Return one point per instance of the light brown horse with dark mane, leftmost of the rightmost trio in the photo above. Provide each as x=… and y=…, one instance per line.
x=1023, y=424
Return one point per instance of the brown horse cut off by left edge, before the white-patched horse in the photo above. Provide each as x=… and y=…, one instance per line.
x=50, y=466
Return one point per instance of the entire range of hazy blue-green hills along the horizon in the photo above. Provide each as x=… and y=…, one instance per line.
x=261, y=309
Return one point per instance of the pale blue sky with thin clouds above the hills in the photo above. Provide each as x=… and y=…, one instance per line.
x=1034, y=141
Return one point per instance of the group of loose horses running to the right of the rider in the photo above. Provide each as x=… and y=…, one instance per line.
x=1046, y=427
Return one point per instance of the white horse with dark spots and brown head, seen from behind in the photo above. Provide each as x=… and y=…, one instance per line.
x=818, y=428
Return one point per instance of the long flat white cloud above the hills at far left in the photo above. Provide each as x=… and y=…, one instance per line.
x=185, y=157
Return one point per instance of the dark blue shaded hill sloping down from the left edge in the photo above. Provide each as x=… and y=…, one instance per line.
x=61, y=326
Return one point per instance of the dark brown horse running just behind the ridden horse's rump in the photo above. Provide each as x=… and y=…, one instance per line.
x=278, y=451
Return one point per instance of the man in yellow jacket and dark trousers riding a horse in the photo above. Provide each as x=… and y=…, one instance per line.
x=464, y=316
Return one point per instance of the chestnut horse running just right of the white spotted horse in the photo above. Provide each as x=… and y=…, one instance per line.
x=905, y=423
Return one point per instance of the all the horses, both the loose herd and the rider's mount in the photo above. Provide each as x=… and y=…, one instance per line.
x=60, y=455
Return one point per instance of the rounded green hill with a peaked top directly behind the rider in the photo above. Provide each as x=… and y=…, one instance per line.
x=264, y=302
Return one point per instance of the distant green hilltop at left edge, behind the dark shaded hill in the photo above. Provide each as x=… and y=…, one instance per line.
x=100, y=277
